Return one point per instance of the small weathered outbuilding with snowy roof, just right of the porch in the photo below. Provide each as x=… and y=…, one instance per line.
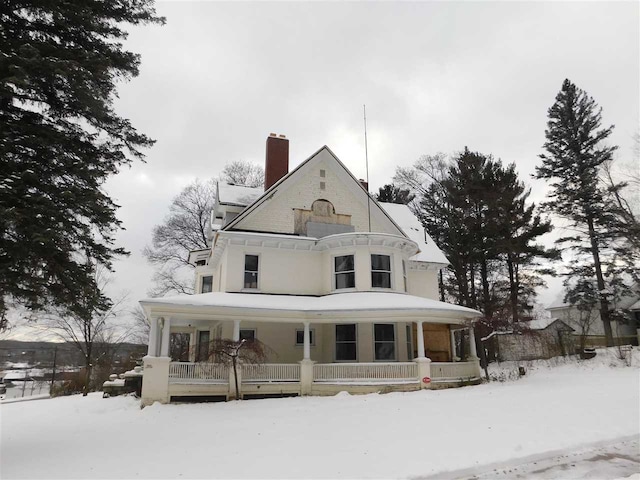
x=540, y=338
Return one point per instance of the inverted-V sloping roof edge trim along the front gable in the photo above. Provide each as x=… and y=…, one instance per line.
x=290, y=178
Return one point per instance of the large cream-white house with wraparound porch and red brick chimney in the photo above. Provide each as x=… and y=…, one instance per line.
x=343, y=290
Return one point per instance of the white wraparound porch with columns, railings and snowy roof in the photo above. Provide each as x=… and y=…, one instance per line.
x=380, y=347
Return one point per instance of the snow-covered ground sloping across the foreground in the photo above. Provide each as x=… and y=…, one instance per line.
x=558, y=411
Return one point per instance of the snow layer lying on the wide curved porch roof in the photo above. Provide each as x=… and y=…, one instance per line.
x=341, y=302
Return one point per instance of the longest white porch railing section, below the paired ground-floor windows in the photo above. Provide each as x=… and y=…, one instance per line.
x=366, y=372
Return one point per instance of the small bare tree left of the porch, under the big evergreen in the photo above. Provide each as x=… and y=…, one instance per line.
x=87, y=332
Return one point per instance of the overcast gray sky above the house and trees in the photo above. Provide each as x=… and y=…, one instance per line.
x=435, y=77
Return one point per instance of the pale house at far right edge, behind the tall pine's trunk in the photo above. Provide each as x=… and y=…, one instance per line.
x=625, y=330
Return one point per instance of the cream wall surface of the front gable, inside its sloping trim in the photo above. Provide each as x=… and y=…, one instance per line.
x=277, y=215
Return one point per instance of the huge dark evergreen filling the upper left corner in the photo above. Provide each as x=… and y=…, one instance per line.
x=60, y=139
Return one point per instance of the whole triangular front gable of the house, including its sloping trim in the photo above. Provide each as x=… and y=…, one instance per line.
x=272, y=212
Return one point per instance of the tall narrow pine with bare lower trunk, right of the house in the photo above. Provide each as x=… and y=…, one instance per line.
x=575, y=154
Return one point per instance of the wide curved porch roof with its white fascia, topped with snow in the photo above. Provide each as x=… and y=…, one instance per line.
x=355, y=306
